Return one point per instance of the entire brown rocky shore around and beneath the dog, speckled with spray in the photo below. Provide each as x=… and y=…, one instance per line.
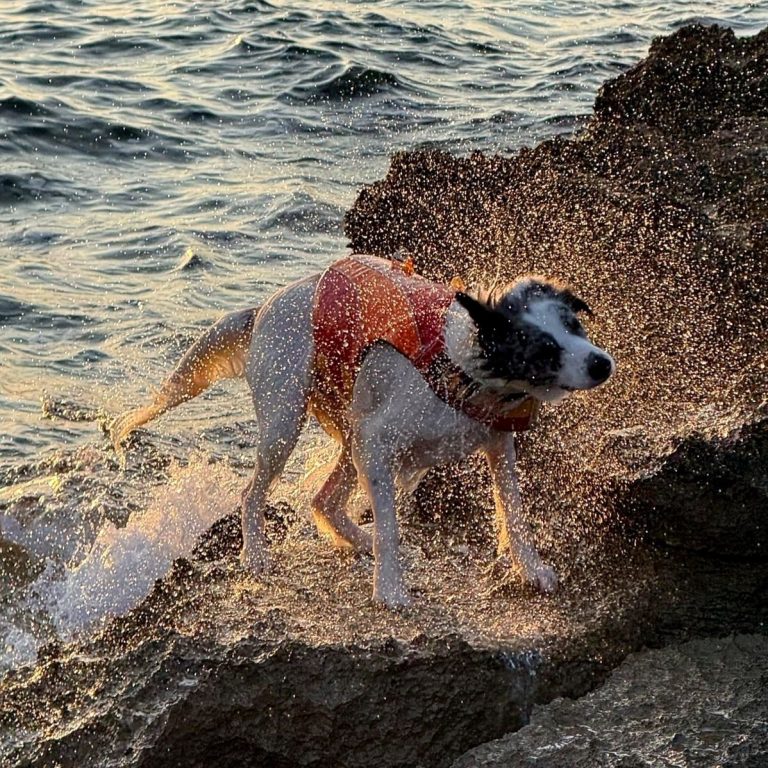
x=649, y=495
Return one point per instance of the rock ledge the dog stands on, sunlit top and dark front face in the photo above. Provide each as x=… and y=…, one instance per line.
x=299, y=668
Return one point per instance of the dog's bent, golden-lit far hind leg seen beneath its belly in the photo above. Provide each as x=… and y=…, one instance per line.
x=328, y=507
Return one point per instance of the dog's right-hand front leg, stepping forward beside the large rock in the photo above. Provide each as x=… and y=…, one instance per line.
x=515, y=534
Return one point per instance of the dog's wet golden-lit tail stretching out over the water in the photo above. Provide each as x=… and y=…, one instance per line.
x=220, y=353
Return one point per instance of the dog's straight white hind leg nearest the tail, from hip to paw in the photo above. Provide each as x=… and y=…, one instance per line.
x=279, y=375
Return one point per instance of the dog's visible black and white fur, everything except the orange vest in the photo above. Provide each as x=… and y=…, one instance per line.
x=523, y=340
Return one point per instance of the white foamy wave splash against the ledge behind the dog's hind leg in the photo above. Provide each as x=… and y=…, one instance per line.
x=123, y=563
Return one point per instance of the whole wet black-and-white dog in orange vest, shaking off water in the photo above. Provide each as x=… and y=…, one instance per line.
x=405, y=374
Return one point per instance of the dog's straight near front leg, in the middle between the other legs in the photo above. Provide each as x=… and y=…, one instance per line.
x=377, y=478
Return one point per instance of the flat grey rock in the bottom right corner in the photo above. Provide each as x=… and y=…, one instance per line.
x=698, y=704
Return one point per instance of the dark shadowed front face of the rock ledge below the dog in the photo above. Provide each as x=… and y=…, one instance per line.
x=415, y=701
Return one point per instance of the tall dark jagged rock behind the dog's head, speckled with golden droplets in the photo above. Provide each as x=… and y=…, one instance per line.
x=655, y=215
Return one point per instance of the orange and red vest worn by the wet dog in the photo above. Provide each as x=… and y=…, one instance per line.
x=364, y=300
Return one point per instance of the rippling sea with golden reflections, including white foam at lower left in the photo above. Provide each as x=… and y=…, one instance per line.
x=165, y=162
